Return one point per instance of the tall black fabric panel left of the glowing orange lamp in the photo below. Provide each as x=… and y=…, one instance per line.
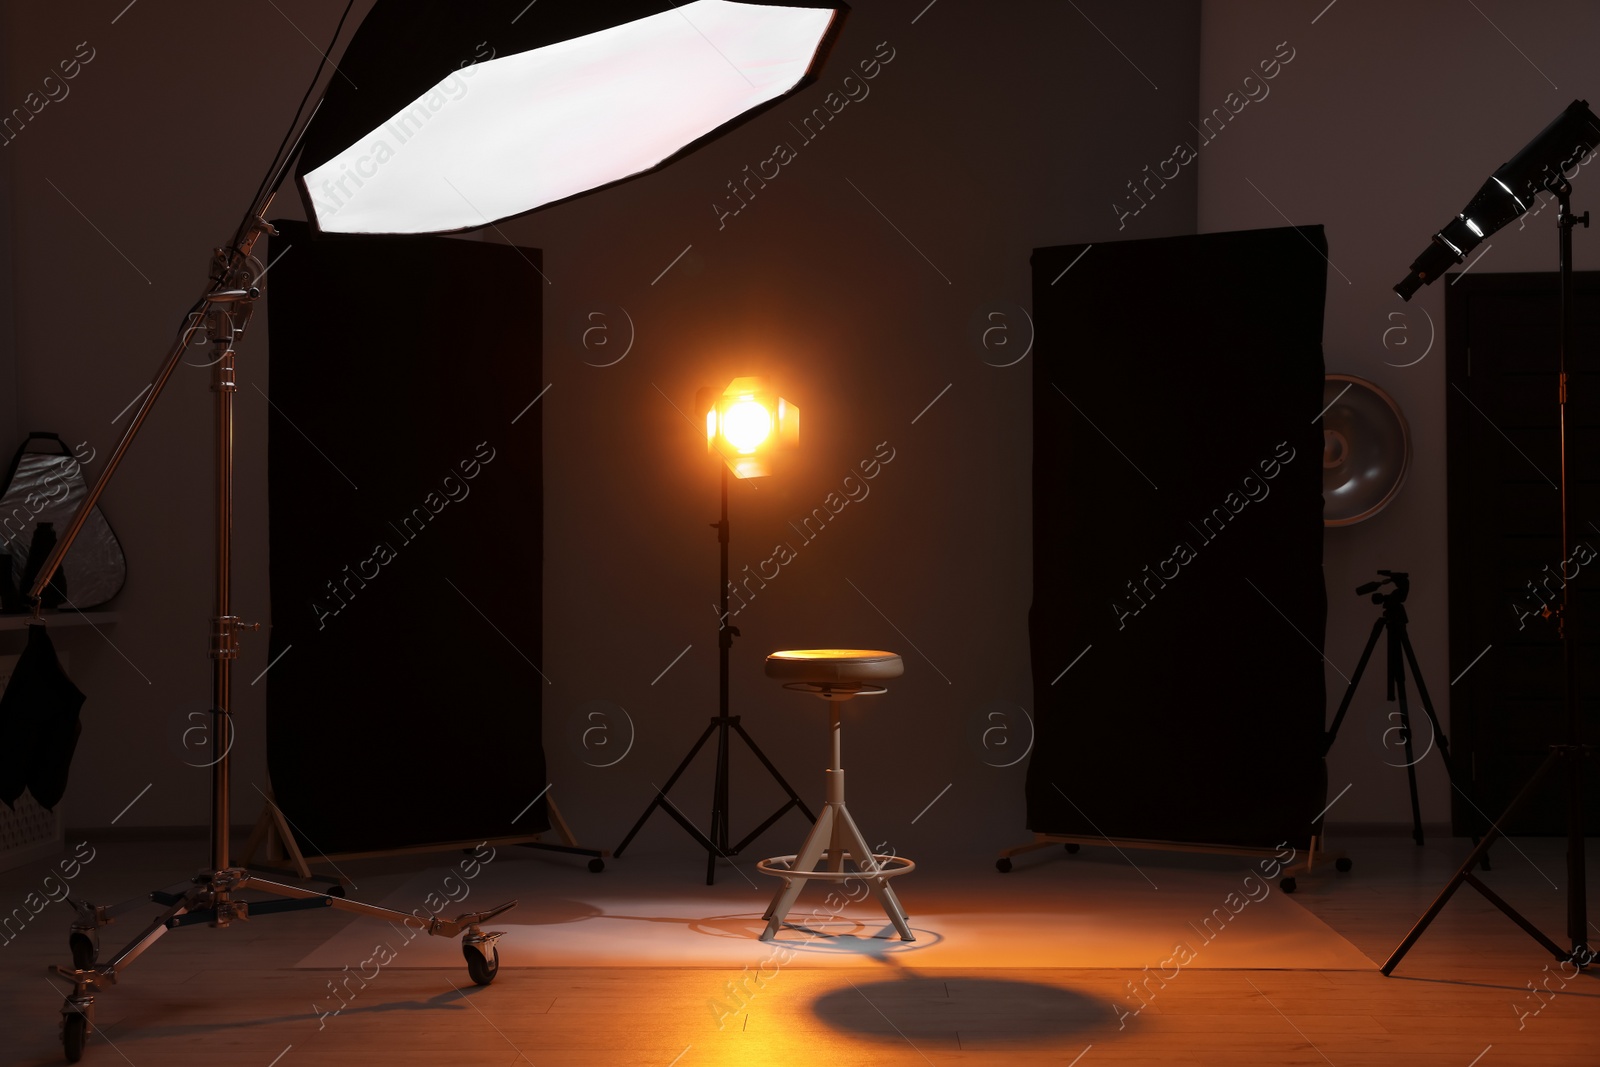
x=404, y=700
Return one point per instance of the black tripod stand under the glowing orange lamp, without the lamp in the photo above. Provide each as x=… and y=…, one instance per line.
x=716, y=844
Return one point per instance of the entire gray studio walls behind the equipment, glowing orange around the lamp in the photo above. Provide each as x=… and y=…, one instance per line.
x=990, y=134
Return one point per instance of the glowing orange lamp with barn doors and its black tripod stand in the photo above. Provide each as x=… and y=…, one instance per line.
x=716, y=844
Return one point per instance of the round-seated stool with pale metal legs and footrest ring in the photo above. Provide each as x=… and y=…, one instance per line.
x=836, y=676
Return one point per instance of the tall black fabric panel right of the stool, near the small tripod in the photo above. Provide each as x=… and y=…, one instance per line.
x=1178, y=597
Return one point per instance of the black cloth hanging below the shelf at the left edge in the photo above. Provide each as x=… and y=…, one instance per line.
x=39, y=719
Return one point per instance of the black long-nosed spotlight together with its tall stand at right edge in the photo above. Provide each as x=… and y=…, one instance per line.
x=1543, y=164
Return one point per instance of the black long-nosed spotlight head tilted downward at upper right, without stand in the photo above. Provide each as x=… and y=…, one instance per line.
x=1508, y=194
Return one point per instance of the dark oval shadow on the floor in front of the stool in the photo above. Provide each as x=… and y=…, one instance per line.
x=900, y=1010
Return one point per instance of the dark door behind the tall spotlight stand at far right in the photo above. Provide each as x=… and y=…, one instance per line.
x=1505, y=537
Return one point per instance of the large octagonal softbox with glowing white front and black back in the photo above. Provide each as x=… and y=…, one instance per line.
x=439, y=121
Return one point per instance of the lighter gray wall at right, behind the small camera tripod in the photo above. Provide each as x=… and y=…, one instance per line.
x=1382, y=129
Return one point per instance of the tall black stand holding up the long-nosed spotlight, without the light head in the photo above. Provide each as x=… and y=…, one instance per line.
x=1570, y=754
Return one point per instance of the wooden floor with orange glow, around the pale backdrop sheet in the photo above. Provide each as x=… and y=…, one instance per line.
x=234, y=996
